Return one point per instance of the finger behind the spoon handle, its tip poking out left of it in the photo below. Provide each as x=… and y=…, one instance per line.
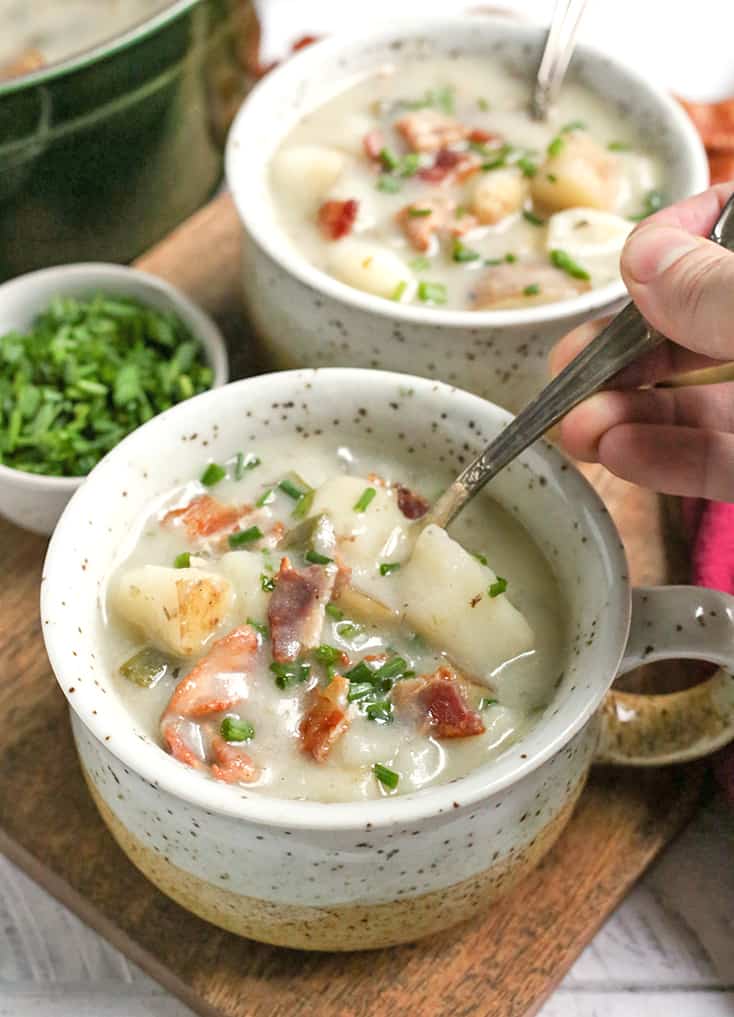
x=658, y=366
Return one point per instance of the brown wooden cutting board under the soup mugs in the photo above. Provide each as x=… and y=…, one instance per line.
x=505, y=966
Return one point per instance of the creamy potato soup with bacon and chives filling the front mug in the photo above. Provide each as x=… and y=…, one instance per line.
x=308, y=635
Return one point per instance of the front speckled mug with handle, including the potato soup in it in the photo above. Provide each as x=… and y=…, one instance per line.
x=313, y=719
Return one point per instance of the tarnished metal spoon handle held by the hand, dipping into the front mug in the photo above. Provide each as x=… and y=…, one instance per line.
x=627, y=338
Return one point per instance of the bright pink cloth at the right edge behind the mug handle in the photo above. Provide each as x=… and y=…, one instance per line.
x=711, y=529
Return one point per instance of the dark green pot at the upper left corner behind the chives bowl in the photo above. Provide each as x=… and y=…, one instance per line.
x=104, y=154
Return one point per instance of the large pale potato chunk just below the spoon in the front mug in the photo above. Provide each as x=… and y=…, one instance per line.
x=445, y=591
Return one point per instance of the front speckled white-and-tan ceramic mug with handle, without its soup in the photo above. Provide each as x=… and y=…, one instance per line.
x=369, y=874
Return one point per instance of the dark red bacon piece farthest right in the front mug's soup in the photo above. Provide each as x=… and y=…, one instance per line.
x=440, y=702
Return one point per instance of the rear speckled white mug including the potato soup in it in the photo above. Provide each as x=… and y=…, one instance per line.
x=405, y=212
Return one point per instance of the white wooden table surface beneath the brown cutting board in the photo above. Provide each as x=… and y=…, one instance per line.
x=669, y=950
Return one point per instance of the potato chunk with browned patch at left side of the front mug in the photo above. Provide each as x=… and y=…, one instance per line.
x=178, y=610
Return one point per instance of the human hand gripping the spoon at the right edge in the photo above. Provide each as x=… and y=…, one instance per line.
x=676, y=441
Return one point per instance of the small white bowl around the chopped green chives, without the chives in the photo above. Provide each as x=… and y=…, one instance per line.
x=33, y=501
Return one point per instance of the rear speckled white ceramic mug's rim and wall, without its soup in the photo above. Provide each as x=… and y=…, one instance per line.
x=308, y=319
